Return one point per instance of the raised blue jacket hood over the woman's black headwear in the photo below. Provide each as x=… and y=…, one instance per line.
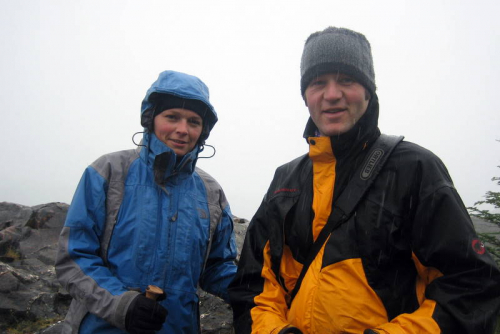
x=179, y=85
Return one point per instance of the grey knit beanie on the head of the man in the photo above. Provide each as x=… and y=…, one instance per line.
x=337, y=50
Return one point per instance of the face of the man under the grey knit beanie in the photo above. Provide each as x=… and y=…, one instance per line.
x=336, y=102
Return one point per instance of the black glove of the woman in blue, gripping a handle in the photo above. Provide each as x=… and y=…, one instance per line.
x=144, y=316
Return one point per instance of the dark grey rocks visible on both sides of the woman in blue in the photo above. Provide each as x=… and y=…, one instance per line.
x=29, y=290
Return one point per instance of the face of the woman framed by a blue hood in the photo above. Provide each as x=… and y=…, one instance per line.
x=179, y=129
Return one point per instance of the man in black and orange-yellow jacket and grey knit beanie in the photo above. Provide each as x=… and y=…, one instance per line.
x=408, y=260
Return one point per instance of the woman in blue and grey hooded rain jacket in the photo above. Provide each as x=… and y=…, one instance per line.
x=148, y=216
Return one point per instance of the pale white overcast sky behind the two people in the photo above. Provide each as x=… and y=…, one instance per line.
x=73, y=75
